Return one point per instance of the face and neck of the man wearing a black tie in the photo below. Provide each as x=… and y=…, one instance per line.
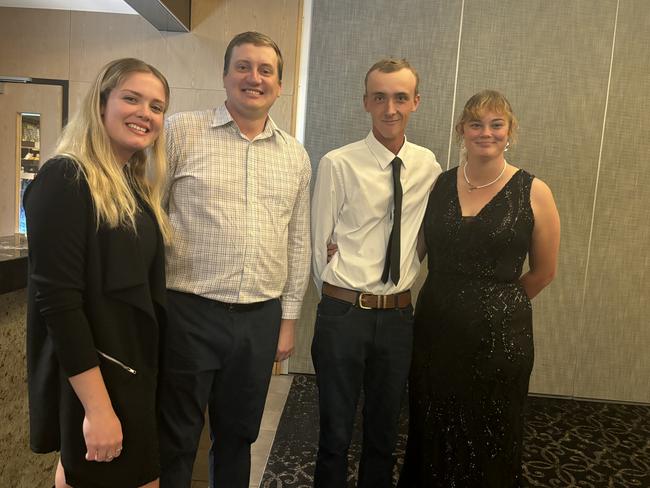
x=390, y=99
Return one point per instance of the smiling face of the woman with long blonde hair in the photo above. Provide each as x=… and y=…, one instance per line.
x=133, y=114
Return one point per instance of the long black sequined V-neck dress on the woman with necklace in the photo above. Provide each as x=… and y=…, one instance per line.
x=473, y=350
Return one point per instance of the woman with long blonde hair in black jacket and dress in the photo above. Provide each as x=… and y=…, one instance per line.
x=96, y=295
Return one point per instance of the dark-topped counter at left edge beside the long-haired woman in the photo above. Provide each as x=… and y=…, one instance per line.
x=19, y=468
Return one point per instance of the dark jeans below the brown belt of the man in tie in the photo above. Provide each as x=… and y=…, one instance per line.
x=353, y=349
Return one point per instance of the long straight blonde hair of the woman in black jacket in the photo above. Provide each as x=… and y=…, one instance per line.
x=85, y=141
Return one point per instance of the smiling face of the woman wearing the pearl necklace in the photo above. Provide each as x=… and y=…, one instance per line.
x=486, y=137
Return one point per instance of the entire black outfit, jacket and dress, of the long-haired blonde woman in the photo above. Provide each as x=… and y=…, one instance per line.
x=96, y=297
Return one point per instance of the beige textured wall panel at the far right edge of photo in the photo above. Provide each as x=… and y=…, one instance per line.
x=614, y=357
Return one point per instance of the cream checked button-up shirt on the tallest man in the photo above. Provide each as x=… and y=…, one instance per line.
x=239, y=210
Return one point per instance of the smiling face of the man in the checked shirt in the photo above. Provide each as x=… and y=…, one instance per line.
x=252, y=83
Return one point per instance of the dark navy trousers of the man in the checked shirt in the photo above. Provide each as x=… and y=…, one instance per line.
x=223, y=359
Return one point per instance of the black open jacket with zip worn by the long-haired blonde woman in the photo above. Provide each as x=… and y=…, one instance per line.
x=88, y=290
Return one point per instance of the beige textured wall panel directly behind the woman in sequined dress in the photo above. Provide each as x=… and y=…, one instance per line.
x=551, y=59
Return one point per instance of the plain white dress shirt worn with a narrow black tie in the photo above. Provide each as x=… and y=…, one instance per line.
x=352, y=206
